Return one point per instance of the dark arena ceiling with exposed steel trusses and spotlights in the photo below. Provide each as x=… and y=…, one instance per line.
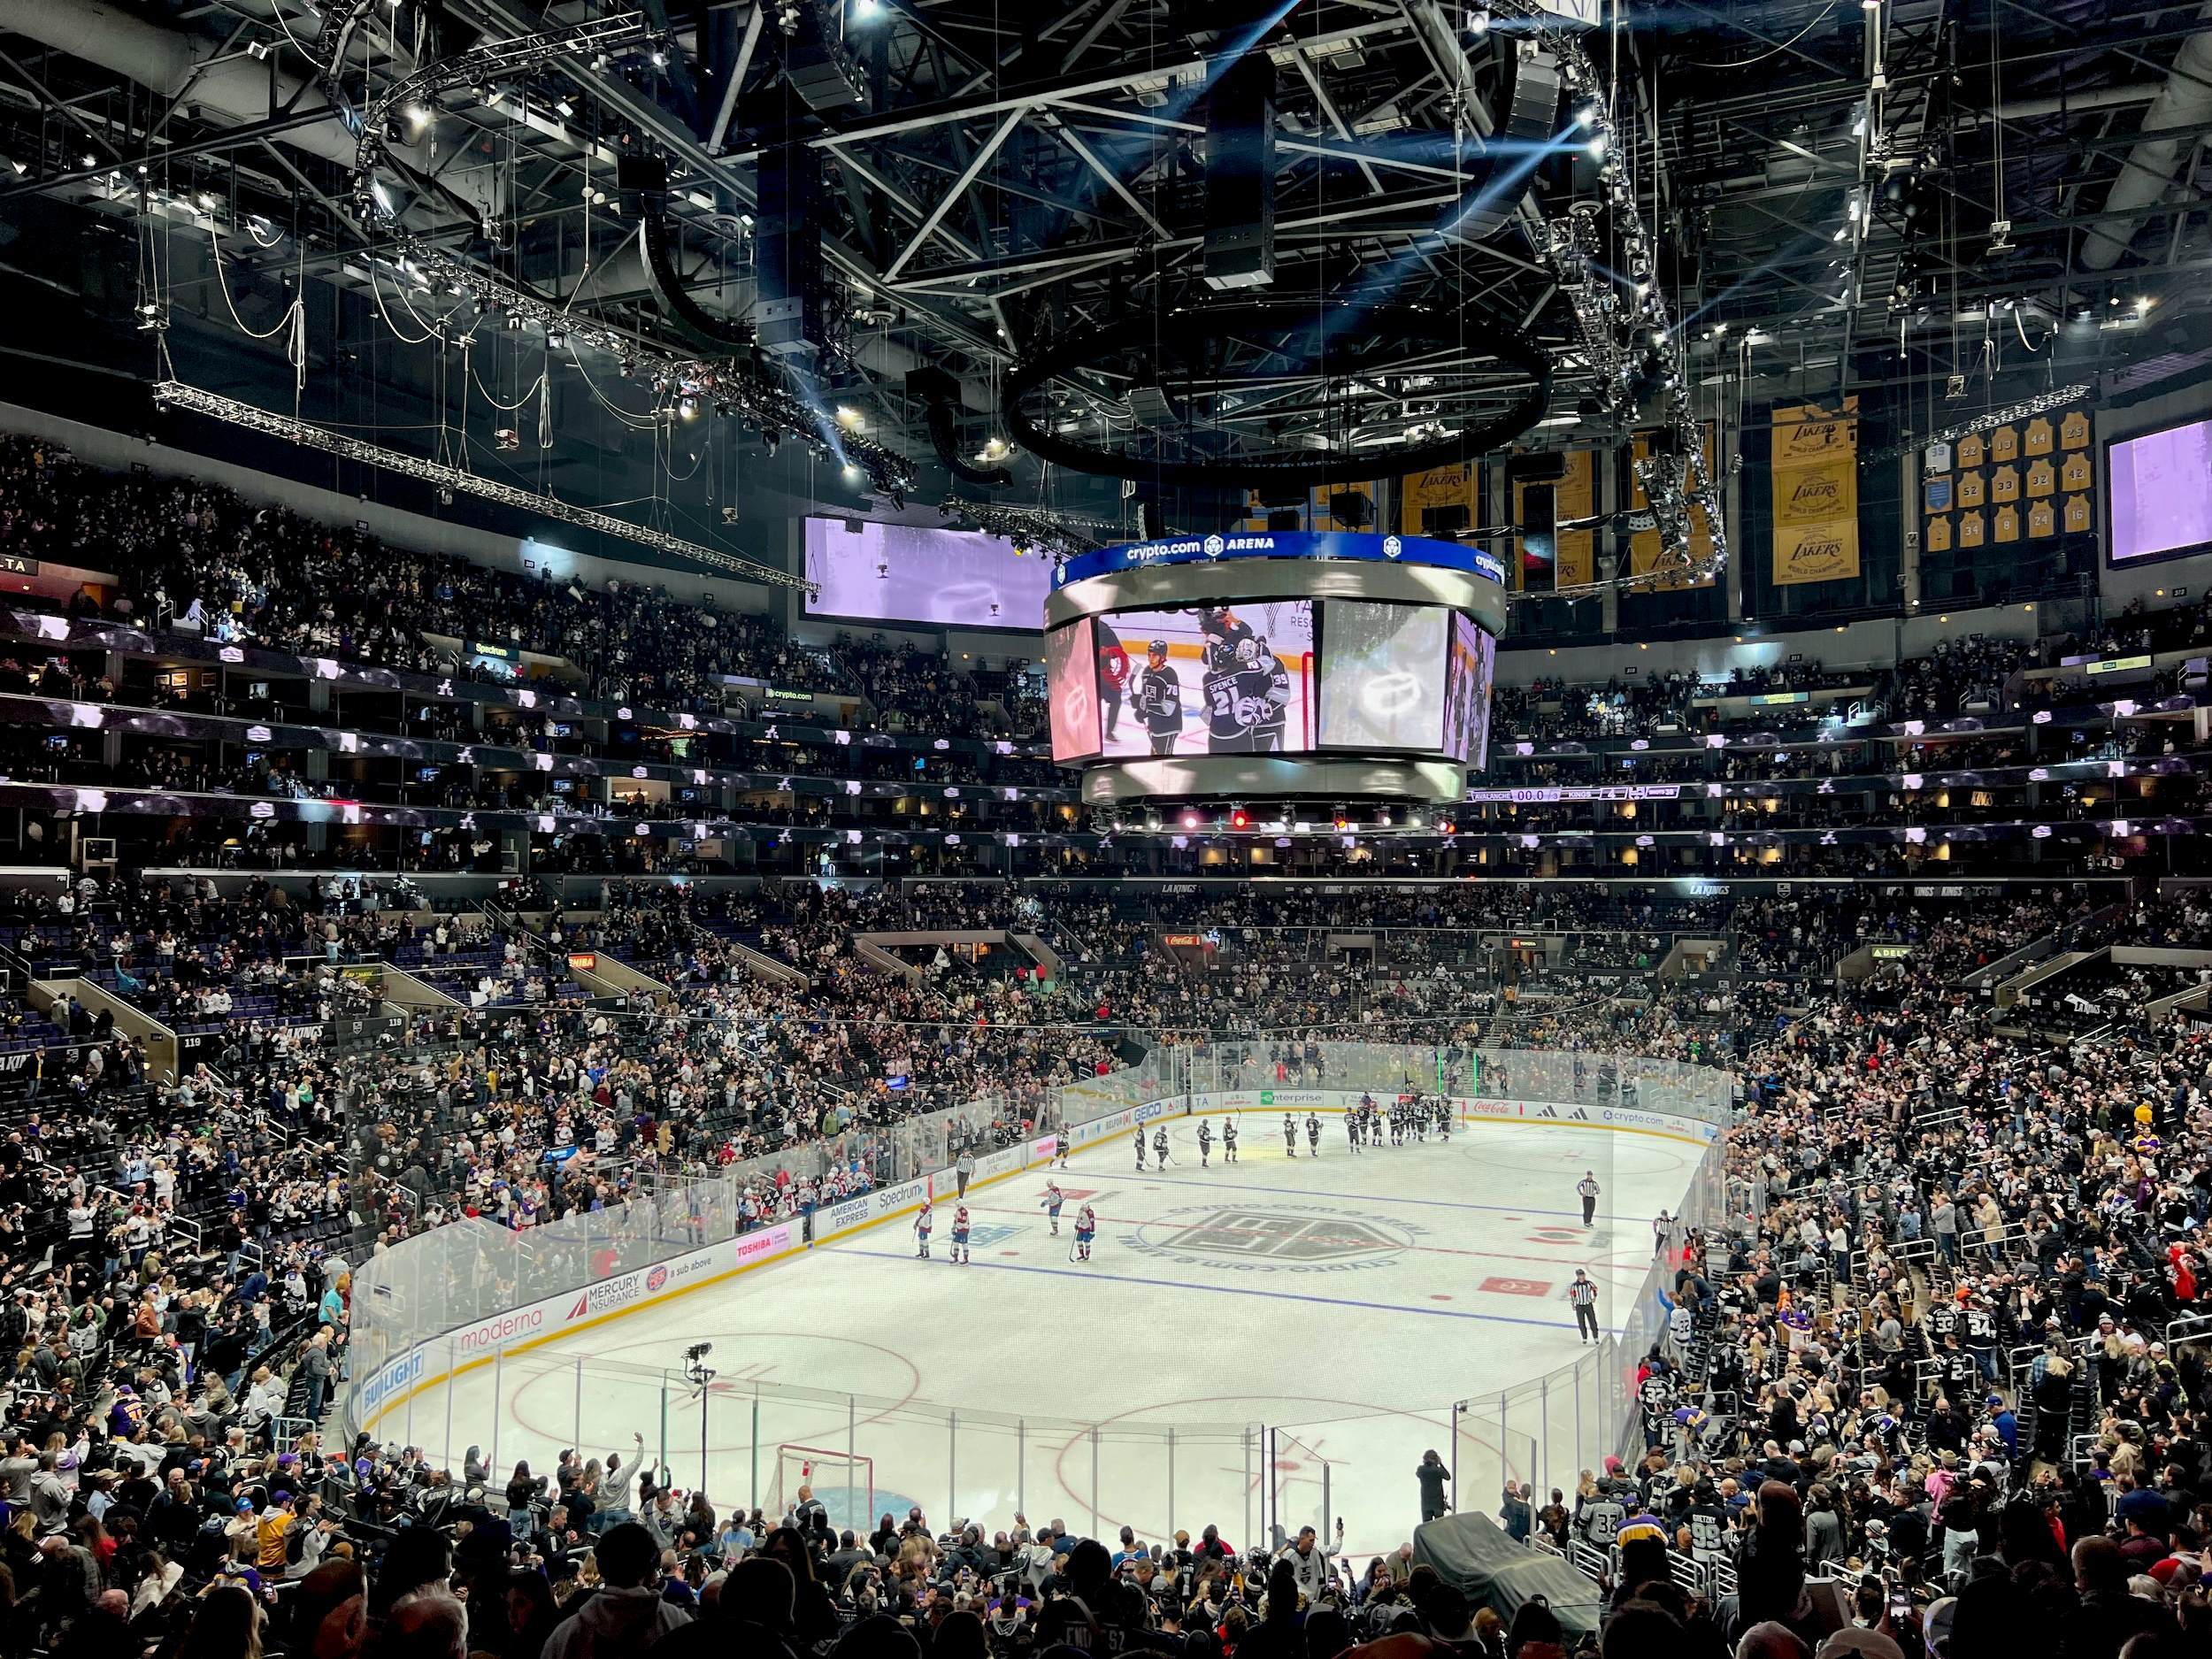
x=1844, y=196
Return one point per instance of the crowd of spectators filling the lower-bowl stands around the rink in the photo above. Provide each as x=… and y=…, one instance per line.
x=1921, y=1355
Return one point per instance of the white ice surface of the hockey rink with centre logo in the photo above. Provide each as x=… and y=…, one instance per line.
x=1342, y=1304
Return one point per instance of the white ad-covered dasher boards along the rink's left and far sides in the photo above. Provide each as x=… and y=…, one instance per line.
x=552, y=1319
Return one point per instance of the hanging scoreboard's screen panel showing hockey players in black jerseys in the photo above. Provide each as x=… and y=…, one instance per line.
x=1211, y=680
